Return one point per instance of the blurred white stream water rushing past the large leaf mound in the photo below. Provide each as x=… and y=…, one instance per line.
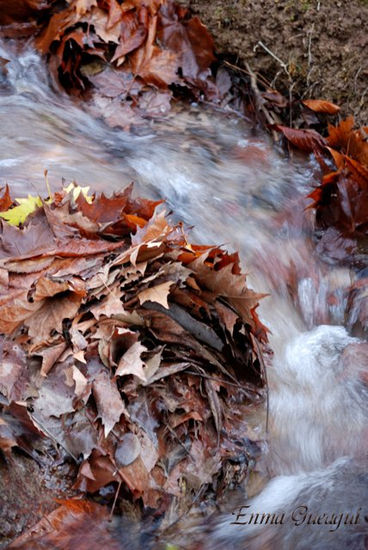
x=223, y=177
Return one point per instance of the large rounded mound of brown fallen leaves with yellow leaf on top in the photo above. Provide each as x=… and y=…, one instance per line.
x=135, y=352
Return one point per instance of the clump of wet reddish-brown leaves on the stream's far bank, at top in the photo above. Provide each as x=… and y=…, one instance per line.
x=129, y=58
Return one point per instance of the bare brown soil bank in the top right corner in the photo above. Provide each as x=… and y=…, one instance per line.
x=321, y=45
